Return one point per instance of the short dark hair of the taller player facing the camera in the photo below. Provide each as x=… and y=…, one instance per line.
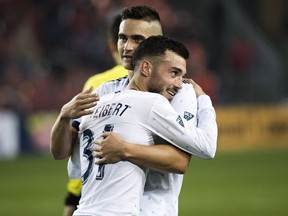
x=140, y=13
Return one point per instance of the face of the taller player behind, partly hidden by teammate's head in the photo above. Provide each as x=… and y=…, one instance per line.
x=131, y=34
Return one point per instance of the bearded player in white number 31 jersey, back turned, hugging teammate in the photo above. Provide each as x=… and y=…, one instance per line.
x=117, y=189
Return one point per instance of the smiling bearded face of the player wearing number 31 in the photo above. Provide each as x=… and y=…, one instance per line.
x=166, y=77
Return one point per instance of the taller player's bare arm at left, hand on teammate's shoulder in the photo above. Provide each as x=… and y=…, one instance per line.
x=63, y=135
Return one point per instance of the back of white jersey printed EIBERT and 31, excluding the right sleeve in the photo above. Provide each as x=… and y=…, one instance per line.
x=115, y=189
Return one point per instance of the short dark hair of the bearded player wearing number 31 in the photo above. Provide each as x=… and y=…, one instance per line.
x=156, y=46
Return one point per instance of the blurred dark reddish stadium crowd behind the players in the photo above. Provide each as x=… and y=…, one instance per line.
x=49, y=48
